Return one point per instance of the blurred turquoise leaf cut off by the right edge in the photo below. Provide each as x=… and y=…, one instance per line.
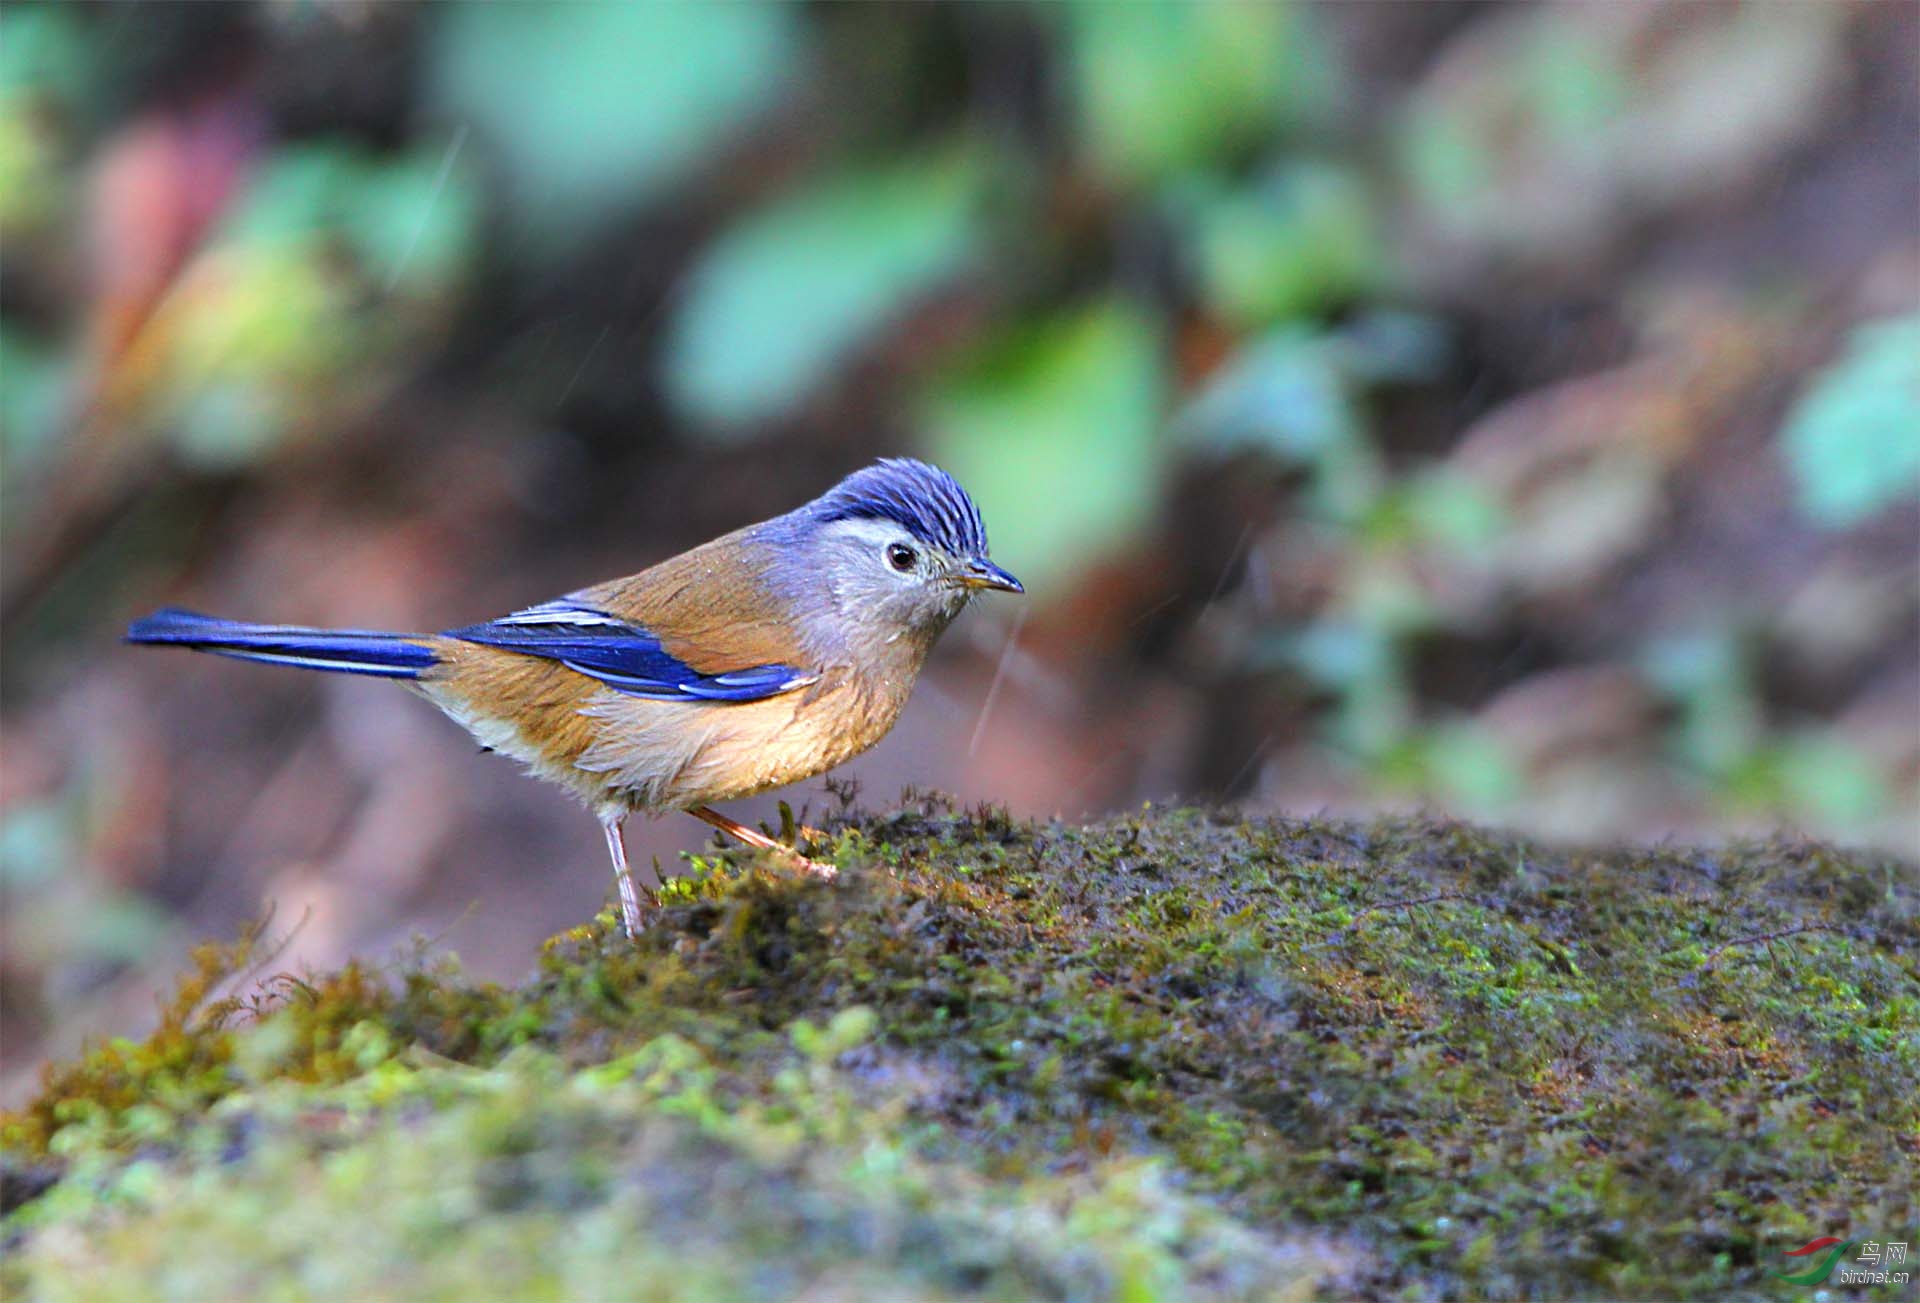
x=1854, y=440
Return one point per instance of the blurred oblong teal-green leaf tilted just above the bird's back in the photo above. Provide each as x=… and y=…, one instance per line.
x=790, y=293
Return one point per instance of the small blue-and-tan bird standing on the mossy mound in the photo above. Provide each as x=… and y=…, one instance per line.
x=750, y=663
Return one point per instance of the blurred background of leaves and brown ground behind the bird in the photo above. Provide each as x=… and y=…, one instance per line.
x=1499, y=408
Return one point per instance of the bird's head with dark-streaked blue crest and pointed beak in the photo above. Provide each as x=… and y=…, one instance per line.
x=898, y=548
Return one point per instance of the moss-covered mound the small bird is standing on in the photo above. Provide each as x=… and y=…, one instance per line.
x=1166, y=1056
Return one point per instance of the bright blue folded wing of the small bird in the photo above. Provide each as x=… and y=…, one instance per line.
x=623, y=655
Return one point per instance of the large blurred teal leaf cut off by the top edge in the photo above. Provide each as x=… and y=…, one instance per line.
x=594, y=108
